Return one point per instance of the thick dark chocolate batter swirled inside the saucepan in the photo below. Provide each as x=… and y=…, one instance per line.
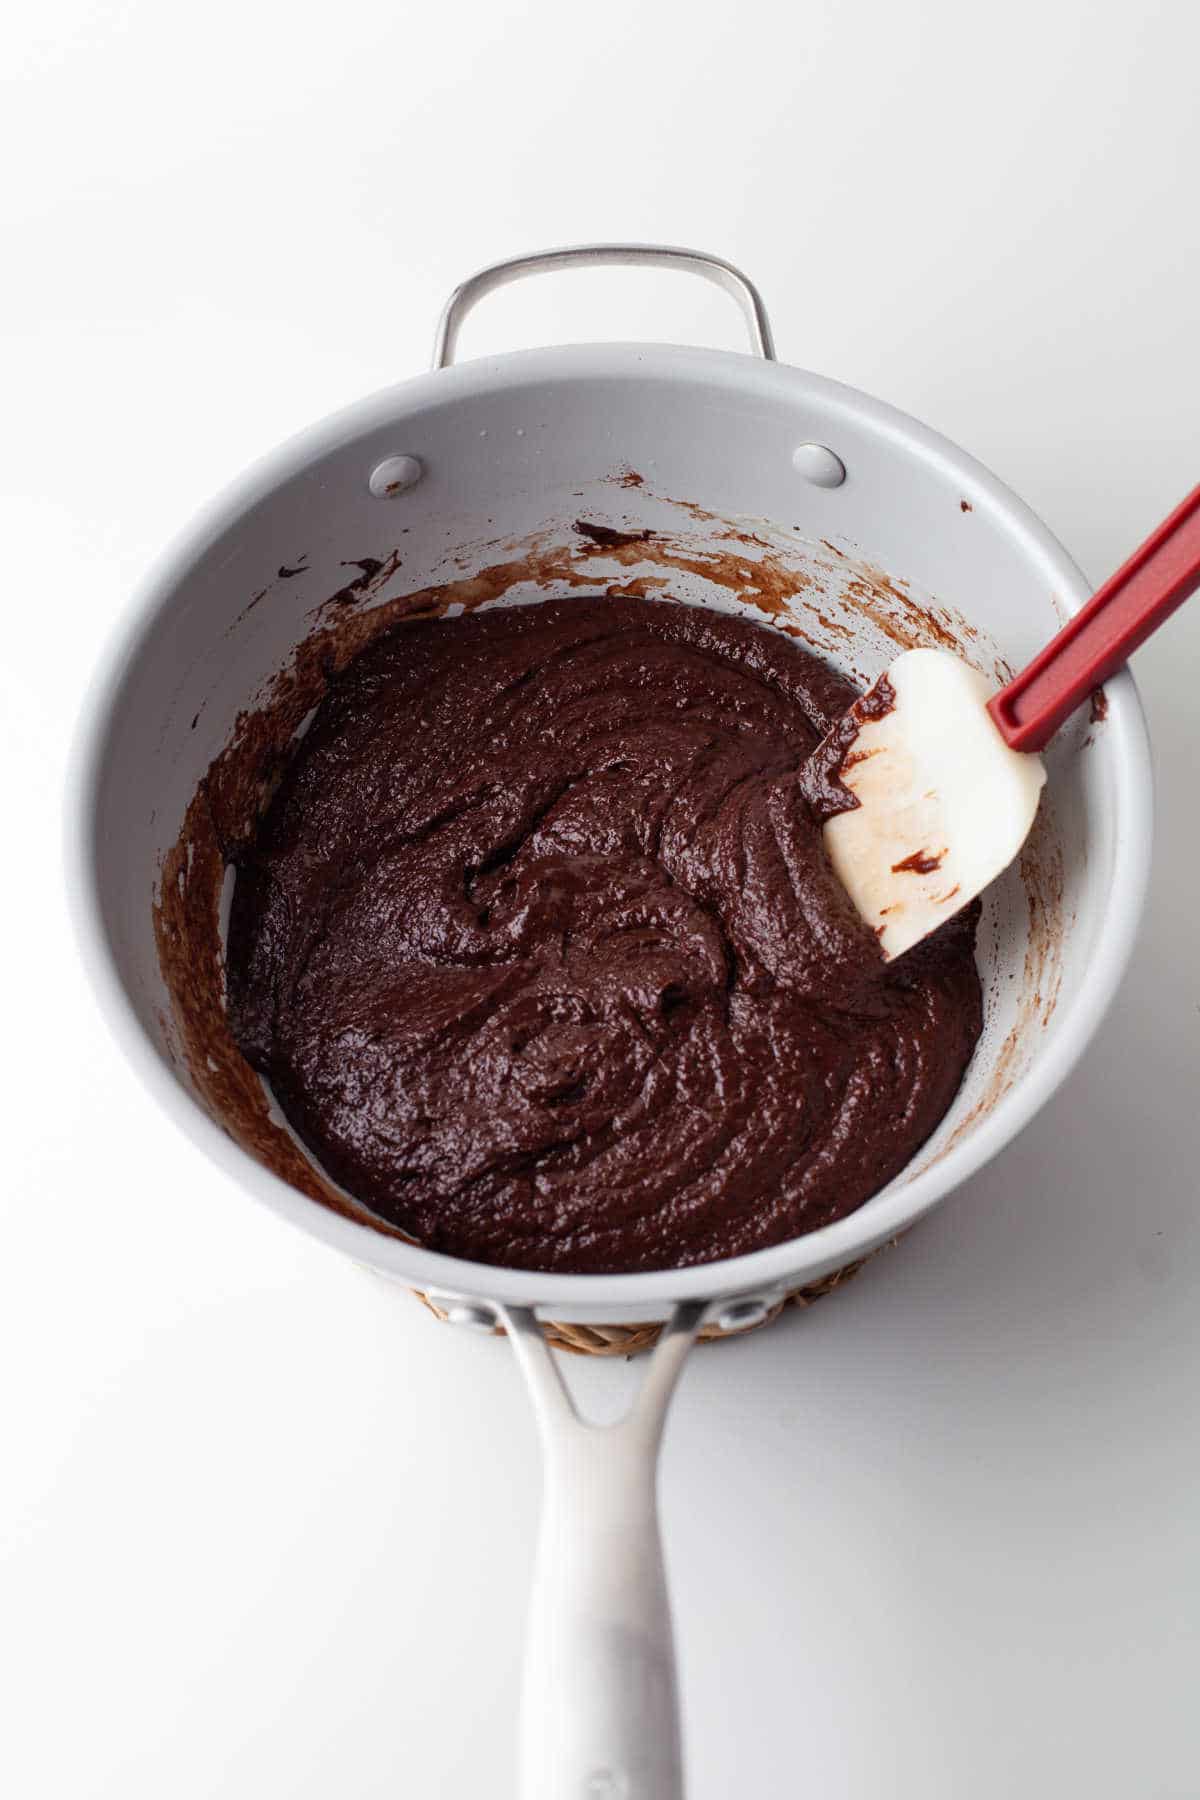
x=542, y=957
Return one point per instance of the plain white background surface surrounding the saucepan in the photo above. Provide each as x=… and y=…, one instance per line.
x=265, y=1525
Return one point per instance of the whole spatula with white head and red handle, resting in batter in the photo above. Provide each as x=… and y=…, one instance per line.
x=931, y=782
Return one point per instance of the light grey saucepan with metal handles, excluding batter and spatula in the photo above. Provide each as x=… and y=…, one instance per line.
x=704, y=478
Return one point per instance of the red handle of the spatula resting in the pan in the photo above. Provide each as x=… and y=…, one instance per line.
x=1116, y=620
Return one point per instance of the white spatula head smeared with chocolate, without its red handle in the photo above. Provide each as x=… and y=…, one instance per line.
x=924, y=804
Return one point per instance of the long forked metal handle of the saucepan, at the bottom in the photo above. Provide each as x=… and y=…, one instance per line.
x=600, y=1709
